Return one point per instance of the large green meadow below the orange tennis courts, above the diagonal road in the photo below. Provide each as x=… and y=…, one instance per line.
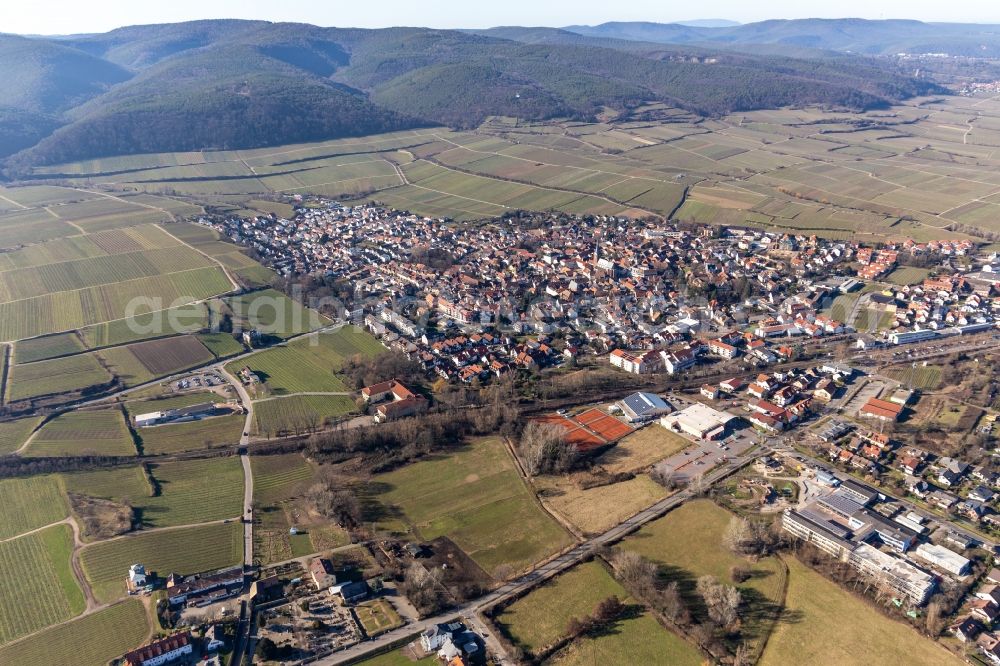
x=476, y=498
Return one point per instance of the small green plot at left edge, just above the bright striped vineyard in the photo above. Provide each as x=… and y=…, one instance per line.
x=29, y=503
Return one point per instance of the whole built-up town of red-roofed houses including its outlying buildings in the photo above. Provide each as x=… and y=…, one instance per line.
x=736, y=340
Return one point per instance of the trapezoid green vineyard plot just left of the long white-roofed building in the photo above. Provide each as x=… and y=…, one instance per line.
x=82, y=433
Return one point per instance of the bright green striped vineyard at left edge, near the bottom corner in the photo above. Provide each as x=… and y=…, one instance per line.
x=37, y=581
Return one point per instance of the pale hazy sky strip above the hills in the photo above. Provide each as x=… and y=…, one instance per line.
x=76, y=16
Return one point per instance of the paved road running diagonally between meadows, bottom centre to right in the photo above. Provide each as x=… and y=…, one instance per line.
x=539, y=574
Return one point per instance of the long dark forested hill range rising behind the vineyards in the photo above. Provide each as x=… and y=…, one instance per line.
x=240, y=84
